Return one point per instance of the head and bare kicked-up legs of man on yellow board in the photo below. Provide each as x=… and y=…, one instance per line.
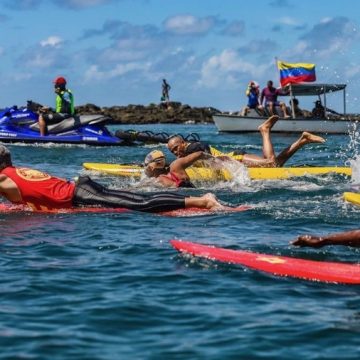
x=269, y=159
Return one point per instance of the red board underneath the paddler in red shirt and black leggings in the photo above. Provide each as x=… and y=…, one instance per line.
x=5, y=208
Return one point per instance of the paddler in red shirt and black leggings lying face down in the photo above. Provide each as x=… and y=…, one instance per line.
x=43, y=192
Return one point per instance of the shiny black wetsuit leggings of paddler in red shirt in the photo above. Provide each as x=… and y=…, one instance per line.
x=90, y=193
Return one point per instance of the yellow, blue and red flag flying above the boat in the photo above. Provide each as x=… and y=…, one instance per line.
x=296, y=73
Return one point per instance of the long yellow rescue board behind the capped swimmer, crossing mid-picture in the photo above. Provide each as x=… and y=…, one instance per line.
x=207, y=174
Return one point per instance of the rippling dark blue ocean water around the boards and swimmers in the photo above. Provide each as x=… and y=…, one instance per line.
x=110, y=286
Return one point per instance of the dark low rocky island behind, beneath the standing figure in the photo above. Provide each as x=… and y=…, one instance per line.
x=173, y=112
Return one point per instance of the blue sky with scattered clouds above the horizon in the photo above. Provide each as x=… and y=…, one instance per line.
x=116, y=52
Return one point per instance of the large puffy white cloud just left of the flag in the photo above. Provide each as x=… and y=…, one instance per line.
x=224, y=69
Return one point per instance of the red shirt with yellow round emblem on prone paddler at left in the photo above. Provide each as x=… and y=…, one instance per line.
x=39, y=190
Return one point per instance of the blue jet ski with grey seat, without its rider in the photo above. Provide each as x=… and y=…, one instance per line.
x=21, y=125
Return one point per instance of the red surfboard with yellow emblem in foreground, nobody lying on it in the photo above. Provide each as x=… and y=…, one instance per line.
x=277, y=265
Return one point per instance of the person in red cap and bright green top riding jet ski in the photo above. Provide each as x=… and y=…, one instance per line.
x=64, y=106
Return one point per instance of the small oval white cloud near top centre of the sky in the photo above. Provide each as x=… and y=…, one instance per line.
x=189, y=24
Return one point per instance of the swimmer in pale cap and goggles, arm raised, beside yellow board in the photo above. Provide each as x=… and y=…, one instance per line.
x=175, y=174
